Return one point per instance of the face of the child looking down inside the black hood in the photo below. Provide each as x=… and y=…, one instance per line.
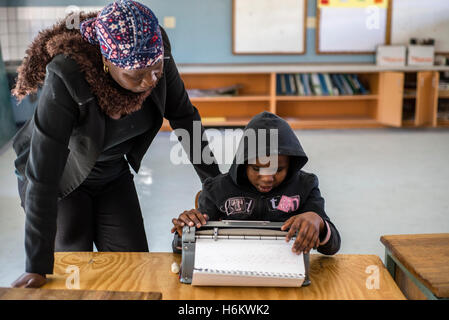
x=266, y=181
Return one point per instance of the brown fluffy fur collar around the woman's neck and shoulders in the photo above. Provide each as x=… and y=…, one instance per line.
x=111, y=98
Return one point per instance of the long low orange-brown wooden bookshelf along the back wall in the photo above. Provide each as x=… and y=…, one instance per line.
x=383, y=106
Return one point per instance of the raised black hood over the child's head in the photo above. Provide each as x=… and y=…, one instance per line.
x=269, y=127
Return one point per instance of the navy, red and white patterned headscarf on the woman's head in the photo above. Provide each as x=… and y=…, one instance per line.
x=128, y=34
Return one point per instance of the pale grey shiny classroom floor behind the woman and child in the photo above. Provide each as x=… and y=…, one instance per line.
x=375, y=182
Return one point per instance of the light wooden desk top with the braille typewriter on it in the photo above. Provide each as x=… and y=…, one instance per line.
x=337, y=277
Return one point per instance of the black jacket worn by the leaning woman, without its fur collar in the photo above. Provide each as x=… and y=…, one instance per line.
x=59, y=146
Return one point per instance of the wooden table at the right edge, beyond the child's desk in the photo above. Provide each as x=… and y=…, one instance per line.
x=419, y=263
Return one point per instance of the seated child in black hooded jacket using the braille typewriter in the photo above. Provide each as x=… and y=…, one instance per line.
x=253, y=191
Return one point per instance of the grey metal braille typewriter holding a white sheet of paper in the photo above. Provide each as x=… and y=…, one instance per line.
x=240, y=253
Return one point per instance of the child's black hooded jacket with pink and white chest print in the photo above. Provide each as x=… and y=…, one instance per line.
x=231, y=196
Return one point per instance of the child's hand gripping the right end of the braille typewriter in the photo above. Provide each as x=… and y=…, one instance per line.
x=308, y=225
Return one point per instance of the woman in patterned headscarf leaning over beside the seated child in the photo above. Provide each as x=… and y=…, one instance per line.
x=105, y=92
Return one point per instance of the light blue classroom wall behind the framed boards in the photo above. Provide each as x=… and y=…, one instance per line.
x=203, y=32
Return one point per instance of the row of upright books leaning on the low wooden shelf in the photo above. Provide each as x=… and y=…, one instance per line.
x=319, y=84
